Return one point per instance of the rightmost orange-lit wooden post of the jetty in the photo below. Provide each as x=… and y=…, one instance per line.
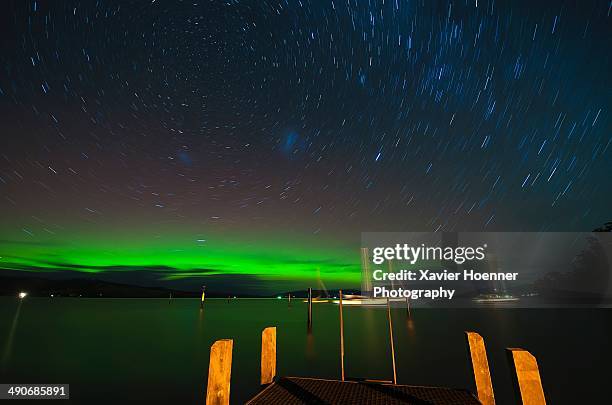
x=526, y=377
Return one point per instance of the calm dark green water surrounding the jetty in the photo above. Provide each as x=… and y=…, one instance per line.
x=123, y=350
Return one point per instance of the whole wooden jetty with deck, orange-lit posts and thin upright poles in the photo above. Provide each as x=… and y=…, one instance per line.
x=304, y=390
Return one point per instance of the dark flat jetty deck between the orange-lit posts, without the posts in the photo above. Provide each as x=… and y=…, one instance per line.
x=298, y=390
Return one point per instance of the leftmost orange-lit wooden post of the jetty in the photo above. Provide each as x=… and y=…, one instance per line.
x=219, y=372
